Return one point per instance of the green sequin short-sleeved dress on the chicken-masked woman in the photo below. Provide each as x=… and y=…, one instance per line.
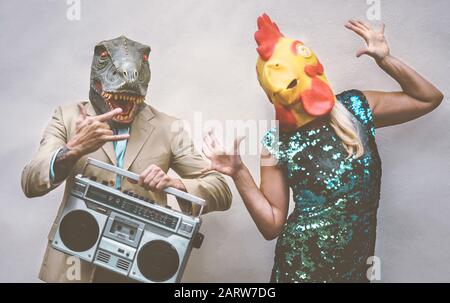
x=331, y=233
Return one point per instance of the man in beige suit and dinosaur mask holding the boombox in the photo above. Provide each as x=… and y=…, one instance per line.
x=116, y=127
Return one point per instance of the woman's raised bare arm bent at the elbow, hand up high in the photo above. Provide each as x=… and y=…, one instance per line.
x=418, y=97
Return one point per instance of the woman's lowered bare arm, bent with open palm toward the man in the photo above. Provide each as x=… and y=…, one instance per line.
x=268, y=206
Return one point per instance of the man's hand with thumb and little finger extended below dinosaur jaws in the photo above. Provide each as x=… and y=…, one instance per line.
x=92, y=132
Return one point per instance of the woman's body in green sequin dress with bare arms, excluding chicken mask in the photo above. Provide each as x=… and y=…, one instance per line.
x=330, y=235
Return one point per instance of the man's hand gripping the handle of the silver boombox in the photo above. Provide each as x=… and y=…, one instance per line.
x=155, y=179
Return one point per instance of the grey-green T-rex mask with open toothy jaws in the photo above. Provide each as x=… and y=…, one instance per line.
x=120, y=74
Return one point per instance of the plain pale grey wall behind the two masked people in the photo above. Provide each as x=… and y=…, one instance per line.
x=203, y=60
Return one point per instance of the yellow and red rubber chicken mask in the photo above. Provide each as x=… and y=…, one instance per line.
x=292, y=77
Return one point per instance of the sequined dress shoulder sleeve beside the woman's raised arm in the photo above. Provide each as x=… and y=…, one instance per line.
x=356, y=102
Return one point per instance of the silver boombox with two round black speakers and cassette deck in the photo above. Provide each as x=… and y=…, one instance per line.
x=126, y=233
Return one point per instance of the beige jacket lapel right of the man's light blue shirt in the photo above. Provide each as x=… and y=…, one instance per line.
x=140, y=131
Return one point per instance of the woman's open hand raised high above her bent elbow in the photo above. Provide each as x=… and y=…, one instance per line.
x=377, y=46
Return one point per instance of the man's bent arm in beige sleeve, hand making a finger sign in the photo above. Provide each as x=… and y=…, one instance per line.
x=47, y=170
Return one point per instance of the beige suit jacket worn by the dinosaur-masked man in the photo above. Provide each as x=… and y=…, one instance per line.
x=154, y=139
